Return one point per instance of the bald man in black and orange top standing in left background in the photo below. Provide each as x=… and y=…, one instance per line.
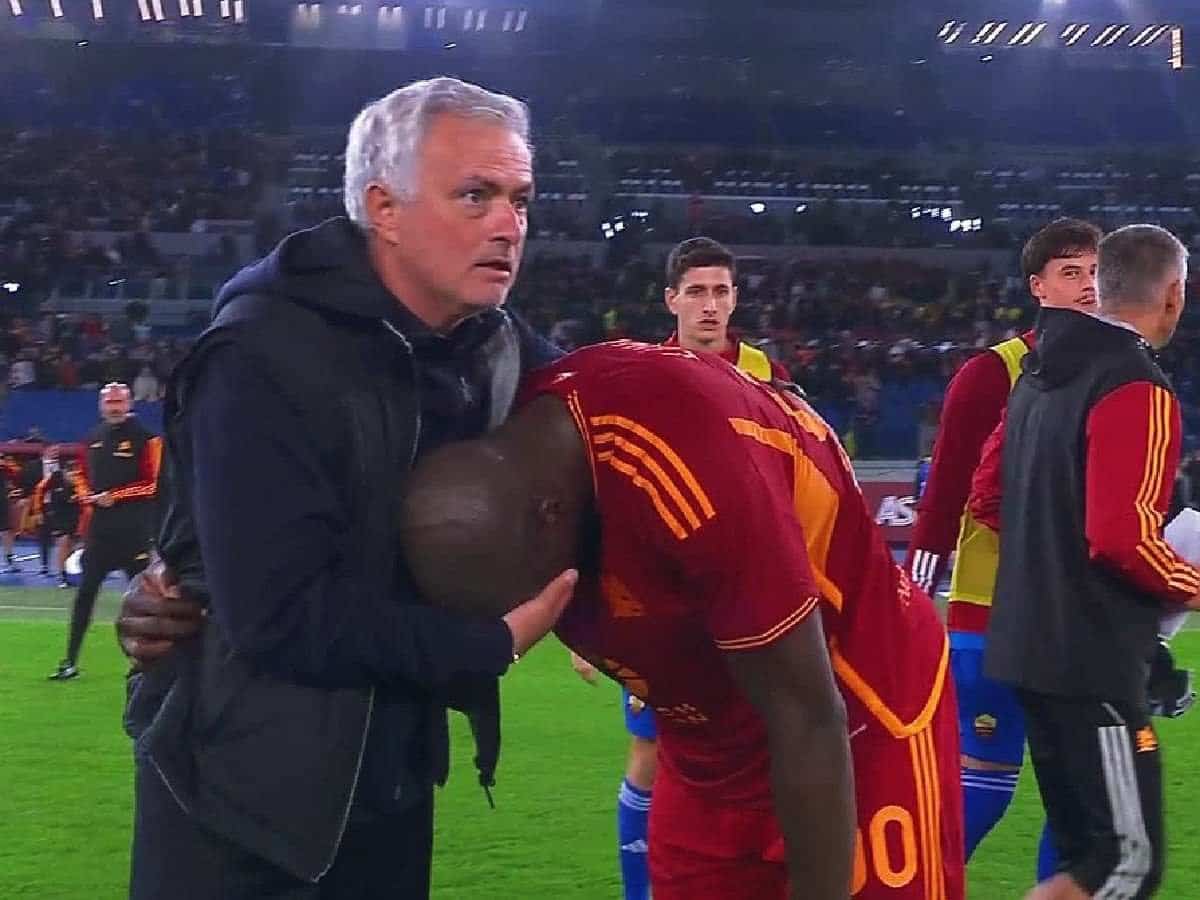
x=122, y=467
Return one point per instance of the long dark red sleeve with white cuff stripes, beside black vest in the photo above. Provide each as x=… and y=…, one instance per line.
x=975, y=401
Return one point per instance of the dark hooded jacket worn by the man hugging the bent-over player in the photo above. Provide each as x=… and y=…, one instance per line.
x=321, y=679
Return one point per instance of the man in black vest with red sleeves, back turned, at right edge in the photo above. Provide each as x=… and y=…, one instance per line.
x=1091, y=447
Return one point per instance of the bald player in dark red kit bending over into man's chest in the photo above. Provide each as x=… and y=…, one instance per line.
x=733, y=580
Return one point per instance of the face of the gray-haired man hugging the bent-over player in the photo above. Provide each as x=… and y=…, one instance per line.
x=458, y=242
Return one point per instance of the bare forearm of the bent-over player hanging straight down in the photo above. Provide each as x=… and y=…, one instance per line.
x=790, y=682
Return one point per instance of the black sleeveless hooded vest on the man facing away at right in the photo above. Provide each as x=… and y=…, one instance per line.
x=1063, y=623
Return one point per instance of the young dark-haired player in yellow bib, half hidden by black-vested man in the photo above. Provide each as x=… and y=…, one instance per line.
x=1059, y=263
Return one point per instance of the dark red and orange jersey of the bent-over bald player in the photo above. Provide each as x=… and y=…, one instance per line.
x=728, y=514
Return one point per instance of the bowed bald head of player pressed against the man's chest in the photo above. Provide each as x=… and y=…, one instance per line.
x=488, y=524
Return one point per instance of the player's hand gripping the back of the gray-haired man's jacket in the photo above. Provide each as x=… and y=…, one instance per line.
x=155, y=616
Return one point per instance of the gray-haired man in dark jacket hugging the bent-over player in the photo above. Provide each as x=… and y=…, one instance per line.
x=289, y=739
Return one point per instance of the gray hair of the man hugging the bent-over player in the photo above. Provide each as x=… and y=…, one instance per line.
x=387, y=136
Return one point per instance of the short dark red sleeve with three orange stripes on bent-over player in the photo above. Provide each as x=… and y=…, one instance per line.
x=674, y=472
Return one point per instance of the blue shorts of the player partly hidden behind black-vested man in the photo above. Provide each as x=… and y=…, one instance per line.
x=992, y=727
